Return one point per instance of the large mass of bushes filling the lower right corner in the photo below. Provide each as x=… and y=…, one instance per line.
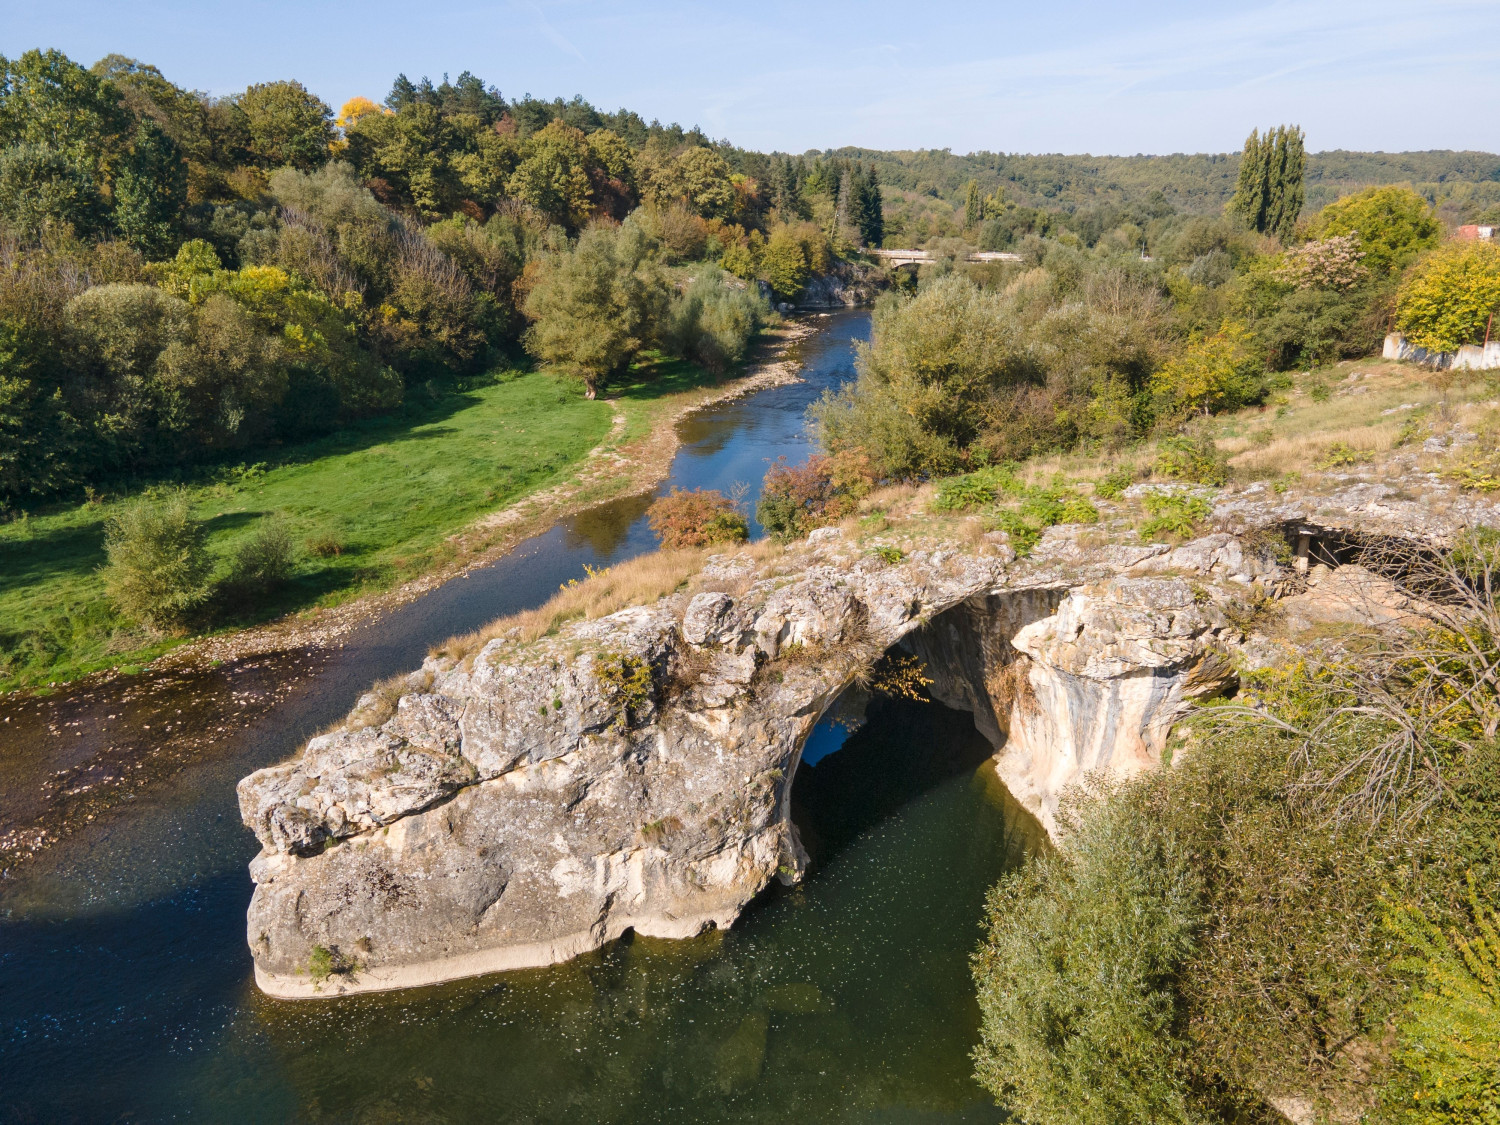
x=1289, y=827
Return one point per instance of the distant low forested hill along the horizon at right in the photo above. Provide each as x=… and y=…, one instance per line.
x=1190, y=182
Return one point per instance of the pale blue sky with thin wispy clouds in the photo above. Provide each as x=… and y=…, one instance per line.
x=1039, y=77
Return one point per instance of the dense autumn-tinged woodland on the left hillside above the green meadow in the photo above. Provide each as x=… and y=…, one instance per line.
x=184, y=278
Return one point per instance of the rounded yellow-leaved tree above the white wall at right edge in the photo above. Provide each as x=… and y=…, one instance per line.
x=1451, y=295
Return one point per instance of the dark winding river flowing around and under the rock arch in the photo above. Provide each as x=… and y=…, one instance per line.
x=125, y=980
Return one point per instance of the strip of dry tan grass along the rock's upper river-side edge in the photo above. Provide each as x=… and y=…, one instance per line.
x=637, y=583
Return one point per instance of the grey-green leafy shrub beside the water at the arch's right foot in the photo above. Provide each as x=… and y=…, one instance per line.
x=1081, y=1015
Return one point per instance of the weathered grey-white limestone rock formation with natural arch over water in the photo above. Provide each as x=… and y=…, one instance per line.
x=539, y=799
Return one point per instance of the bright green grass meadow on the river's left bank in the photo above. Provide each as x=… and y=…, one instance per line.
x=371, y=506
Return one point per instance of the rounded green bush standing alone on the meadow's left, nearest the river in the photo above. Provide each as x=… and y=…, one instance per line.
x=158, y=569
